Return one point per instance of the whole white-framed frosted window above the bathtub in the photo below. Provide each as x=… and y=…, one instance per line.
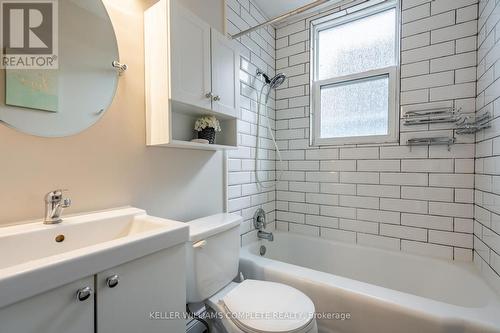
x=354, y=77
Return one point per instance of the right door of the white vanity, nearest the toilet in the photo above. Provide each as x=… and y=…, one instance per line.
x=147, y=292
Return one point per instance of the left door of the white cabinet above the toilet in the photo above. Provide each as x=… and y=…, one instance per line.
x=191, y=76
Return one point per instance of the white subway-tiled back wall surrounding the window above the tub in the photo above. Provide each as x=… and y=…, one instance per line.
x=417, y=200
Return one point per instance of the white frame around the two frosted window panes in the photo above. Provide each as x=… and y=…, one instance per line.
x=336, y=19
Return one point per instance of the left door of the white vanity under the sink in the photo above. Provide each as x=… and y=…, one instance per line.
x=55, y=311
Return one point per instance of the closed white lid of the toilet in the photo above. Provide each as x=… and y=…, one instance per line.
x=262, y=306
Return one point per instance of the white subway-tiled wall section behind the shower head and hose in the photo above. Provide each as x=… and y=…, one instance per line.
x=257, y=51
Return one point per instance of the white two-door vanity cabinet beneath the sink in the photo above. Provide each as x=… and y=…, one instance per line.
x=155, y=283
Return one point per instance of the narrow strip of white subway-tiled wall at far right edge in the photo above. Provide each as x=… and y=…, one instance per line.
x=487, y=179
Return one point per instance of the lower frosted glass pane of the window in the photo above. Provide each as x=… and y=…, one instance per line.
x=355, y=108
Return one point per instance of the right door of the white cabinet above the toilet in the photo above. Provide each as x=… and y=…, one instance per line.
x=225, y=75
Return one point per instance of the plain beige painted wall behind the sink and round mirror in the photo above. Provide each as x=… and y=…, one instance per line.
x=109, y=164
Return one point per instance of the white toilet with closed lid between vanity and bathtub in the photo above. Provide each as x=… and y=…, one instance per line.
x=250, y=306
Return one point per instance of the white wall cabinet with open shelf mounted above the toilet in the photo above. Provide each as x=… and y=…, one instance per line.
x=191, y=70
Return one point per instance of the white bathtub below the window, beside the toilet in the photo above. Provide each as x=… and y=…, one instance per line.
x=383, y=291
